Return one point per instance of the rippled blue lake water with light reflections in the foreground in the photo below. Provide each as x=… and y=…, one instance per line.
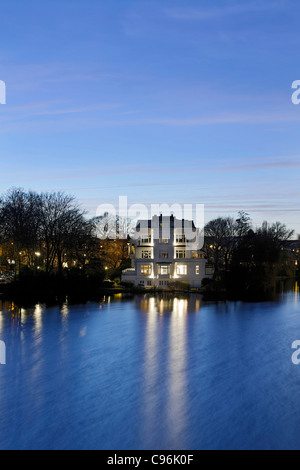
x=151, y=373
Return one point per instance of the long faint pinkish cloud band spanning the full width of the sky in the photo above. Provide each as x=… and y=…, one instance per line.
x=29, y=118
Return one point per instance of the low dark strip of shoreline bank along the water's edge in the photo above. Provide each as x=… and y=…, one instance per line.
x=29, y=291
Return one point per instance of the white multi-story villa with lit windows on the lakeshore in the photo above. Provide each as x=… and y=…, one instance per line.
x=163, y=253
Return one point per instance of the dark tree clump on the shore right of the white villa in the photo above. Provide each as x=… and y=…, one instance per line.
x=247, y=261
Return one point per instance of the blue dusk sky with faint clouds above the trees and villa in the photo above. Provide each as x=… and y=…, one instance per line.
x=163, y=101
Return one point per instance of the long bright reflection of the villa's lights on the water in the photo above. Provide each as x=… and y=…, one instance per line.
x=166, y=368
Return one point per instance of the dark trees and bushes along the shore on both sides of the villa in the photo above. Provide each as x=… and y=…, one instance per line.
x=49, y=249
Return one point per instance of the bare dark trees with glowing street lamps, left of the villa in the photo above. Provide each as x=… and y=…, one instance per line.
x=47, y=244
